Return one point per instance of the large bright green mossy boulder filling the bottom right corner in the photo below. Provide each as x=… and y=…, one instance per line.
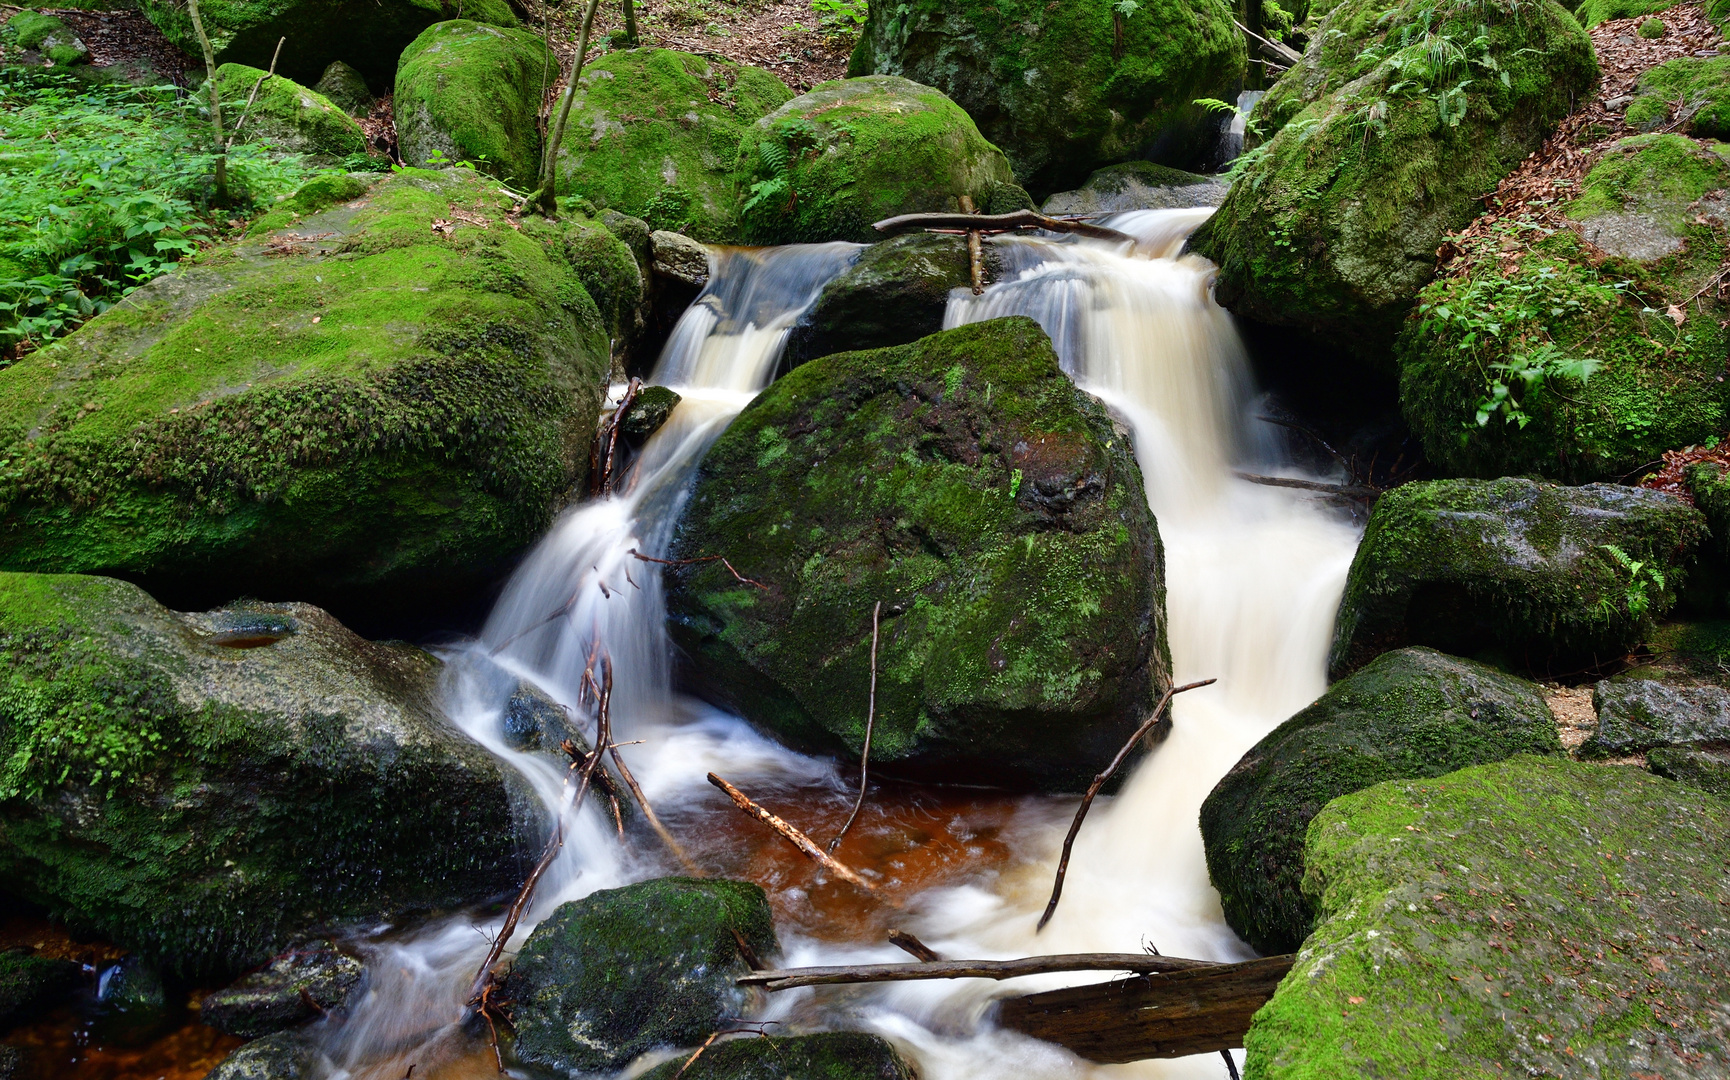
x=1525, y=918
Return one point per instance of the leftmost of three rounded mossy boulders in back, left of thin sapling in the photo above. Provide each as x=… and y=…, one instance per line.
x=473, y=93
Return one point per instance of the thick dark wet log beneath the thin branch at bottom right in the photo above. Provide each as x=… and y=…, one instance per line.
x=1196, y=1012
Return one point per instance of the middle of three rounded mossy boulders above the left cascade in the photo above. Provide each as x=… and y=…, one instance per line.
x=655, y=134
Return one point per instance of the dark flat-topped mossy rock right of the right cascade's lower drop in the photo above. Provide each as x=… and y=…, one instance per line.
x=1511, y=565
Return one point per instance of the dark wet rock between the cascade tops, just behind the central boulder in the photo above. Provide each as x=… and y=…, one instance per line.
x=895, y=293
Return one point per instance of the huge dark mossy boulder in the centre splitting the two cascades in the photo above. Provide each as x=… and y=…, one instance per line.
x=996, y=513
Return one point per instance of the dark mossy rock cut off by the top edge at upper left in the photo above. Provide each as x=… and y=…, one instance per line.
x=368, y=35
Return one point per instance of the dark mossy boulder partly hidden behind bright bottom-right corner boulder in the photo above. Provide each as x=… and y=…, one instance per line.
x=1409, y=714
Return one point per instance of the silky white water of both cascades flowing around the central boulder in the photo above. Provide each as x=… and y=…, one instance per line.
x=1253, y=581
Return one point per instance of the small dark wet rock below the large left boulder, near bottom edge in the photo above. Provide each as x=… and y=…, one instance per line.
x=304, y=984
